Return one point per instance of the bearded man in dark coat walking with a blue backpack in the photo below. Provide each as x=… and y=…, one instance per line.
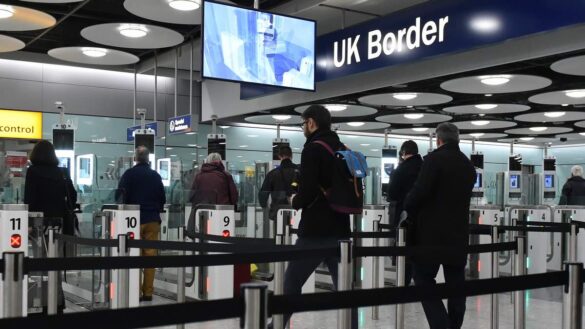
x=320, y=225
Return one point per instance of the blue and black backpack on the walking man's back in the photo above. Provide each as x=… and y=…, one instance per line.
x=346, y=194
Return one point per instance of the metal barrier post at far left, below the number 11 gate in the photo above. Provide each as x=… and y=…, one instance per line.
x=12, y=280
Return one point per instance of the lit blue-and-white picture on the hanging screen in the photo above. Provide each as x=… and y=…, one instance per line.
x=251, y=46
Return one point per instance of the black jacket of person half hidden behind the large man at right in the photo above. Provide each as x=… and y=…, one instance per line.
x=401, y=183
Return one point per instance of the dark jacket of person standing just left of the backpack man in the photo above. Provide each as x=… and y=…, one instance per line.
x=278, y=184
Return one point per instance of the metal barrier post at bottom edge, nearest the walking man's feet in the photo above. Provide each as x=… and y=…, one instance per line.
x=255, y=306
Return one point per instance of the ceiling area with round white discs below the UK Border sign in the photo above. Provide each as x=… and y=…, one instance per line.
x=535, y=87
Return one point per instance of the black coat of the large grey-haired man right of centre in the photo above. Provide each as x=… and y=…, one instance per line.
x=440, y=198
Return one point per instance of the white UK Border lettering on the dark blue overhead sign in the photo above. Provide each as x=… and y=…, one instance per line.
x=346, y=51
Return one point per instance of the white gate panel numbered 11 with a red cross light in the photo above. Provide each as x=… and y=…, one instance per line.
x=14, y=227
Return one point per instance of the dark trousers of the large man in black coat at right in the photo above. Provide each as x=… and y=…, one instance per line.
x=437, y=316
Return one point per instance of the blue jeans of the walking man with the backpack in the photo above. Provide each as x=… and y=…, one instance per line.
x=298, y=271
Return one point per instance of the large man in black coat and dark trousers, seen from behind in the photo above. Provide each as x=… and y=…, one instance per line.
x=440, y=198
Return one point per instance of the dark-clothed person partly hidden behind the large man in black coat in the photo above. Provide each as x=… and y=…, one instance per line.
x=401, y=182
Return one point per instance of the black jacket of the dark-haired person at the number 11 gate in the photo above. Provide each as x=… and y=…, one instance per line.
x=49, y=189
